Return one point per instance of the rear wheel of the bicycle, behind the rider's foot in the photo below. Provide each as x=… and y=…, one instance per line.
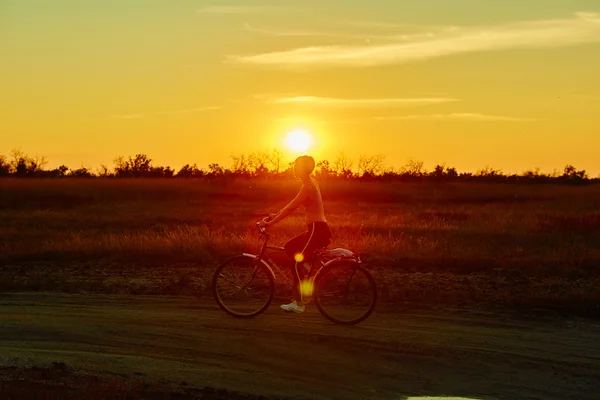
x=344, y=292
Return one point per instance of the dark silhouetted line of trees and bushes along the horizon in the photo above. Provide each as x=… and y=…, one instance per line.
x=272, y=165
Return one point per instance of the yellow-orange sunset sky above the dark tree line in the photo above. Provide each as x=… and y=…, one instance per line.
x=513, y=85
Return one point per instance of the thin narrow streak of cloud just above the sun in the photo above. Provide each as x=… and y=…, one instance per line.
x=357, y=103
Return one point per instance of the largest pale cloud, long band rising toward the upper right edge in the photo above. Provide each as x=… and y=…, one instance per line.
x=579, y=29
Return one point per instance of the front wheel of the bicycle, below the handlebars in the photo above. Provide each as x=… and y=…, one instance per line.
x=243, y=287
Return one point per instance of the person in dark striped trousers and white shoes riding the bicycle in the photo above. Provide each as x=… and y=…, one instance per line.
x=318, y=234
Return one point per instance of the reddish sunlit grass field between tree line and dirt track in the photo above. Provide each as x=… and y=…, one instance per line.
x=479, y=245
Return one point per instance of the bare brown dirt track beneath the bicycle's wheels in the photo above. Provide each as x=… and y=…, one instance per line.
x=390, y=356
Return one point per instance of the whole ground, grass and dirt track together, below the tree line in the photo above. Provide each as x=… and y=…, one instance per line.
x=462, y=271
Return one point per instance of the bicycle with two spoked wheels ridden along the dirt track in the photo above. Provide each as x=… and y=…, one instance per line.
x=250, y=280
